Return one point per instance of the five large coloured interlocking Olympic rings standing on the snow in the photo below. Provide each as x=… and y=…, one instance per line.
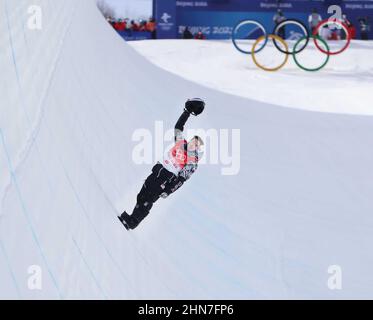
x=301, y=42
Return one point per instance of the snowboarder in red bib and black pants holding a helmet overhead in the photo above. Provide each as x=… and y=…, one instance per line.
x=178, y=165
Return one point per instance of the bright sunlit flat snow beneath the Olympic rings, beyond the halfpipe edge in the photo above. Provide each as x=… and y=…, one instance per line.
x=343, y=86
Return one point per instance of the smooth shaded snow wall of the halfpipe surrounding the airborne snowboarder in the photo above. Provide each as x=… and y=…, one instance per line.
x=72, y=95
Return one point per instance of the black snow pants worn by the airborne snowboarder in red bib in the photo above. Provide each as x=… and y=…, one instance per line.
x=150, y=192
